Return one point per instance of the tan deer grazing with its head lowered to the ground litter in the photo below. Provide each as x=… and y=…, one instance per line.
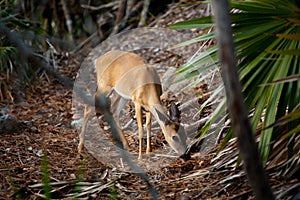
x=131, y=78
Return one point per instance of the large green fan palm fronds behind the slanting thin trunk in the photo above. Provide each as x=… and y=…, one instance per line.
x=267, y=43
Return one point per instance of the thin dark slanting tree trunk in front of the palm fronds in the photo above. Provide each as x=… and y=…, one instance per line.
x=236, y=107
